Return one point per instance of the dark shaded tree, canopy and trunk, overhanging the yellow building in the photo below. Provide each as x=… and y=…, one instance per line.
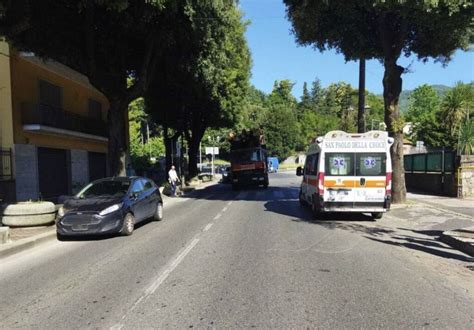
x=108, y=41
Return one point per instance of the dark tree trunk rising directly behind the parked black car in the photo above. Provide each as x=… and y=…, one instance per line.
x=117, y=146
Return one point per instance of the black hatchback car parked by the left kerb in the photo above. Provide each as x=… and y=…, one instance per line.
x=109, y=206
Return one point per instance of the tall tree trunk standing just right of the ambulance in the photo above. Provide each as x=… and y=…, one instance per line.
x=392, y=83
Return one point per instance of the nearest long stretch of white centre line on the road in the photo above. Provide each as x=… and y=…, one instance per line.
x=159, y=280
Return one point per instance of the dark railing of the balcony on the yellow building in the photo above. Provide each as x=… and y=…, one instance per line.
x=45, y=115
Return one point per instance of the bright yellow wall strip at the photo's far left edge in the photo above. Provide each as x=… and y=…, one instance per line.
x=6, y=125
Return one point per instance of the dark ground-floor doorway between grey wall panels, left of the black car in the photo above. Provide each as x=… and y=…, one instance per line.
x=53, y=173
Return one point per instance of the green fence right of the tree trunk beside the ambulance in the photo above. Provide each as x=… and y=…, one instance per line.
x=433, y=172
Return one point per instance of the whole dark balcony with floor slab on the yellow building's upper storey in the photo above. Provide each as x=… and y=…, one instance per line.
x=52, y=120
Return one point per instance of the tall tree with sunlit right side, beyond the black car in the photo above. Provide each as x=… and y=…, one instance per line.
x=204, y=76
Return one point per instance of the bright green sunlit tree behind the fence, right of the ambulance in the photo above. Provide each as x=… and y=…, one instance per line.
x=424, y=113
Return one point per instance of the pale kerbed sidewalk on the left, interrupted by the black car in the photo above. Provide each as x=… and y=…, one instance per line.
x=24, y=238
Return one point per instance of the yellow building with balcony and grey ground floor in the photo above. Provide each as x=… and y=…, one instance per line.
x=53, y=135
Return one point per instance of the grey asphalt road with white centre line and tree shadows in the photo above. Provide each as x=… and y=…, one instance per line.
x=251, y=258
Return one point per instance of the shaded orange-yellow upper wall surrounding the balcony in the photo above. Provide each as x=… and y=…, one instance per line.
x=76, y=93
